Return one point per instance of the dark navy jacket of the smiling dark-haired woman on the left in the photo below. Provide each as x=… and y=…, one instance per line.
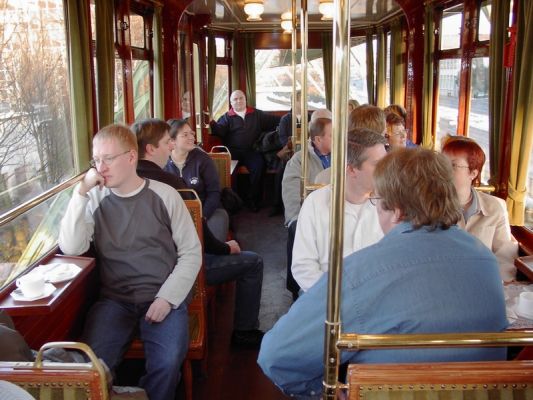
x=200, y=174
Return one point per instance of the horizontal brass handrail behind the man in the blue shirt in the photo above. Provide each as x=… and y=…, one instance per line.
x=353, y=341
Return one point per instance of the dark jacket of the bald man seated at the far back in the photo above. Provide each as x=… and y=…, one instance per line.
x=240, y=134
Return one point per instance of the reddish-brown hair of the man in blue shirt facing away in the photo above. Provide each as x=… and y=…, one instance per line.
x=418, y=182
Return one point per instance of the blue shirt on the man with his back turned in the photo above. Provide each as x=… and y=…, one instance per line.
x=450, y=283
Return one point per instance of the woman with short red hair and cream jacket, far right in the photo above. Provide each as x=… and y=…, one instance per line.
x=483, y=215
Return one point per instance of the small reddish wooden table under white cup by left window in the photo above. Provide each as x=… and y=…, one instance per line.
x=47, y=305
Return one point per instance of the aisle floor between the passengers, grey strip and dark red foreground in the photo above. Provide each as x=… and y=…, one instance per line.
x=233, y=373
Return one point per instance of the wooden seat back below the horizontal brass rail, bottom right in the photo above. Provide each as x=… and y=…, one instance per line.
x=457, y=380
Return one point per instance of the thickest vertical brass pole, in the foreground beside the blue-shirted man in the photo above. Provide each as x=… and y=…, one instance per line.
x=341, y=53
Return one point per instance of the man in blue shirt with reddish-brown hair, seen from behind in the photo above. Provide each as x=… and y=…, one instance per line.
x=425, y=276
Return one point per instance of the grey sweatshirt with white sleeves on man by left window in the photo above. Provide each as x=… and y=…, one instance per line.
x=146, y=243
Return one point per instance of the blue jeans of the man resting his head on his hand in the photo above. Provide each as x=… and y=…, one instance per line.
x=111, y=326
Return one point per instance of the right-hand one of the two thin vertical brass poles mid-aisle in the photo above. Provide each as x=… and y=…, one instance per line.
x=303, y=68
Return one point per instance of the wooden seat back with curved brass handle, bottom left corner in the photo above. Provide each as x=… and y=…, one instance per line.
x=47, y=380
